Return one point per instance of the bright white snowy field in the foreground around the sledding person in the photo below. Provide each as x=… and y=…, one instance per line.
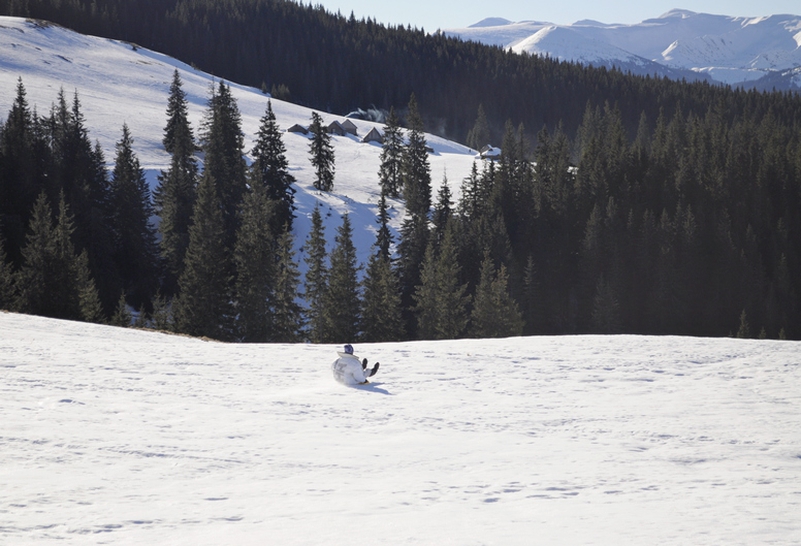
x=117, y=436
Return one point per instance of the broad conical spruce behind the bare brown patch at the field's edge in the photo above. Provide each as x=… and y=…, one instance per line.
x=203, y=306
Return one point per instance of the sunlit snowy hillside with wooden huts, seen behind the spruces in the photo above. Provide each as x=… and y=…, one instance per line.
x=121, y=83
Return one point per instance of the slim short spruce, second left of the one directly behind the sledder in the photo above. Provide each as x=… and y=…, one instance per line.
x=287, y=312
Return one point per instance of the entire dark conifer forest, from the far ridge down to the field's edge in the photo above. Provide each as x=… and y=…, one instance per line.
x=619, y=204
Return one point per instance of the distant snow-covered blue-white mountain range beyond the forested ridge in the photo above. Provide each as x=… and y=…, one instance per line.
x=748, y=51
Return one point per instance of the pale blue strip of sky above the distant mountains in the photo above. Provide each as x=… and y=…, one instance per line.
x=434, y=14
